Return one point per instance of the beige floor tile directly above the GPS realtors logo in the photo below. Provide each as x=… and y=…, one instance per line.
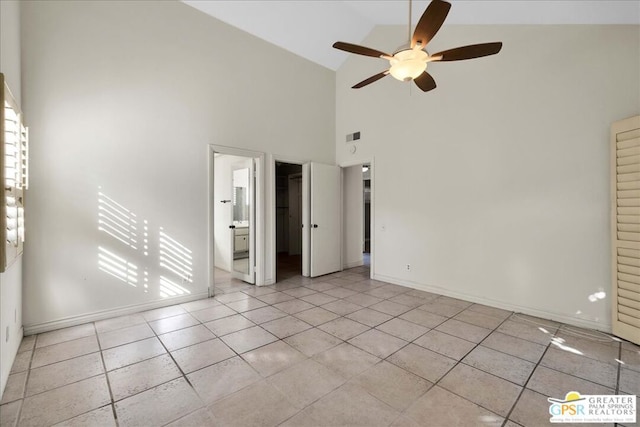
x=581, y=367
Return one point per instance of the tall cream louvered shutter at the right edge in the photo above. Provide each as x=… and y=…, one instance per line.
x=625, y=228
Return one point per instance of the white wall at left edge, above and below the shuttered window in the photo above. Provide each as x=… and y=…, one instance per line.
x=11, y=280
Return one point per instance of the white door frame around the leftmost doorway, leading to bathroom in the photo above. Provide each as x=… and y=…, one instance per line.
x=259, y=211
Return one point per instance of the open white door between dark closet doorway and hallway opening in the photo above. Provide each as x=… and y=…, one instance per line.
x=322, y=214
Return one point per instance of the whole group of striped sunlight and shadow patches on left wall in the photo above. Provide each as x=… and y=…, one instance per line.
x=129, y=241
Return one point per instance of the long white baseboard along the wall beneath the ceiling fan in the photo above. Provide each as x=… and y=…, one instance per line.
x=582, y=323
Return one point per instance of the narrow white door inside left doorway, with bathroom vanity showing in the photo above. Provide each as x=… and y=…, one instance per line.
x=242, y=228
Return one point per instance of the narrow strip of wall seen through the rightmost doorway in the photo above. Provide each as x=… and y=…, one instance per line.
x=353, y=214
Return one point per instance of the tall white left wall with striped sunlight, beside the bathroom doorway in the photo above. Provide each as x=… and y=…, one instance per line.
x=127, y=96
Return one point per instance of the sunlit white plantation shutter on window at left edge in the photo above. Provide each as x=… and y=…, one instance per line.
x=14, y=176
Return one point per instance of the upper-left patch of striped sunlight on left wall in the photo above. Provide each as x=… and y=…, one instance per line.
x=117, y=221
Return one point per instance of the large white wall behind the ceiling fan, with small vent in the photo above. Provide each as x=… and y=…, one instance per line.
x=495, y=186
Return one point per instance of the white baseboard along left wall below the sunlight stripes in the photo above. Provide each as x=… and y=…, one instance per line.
x=106, y=314
